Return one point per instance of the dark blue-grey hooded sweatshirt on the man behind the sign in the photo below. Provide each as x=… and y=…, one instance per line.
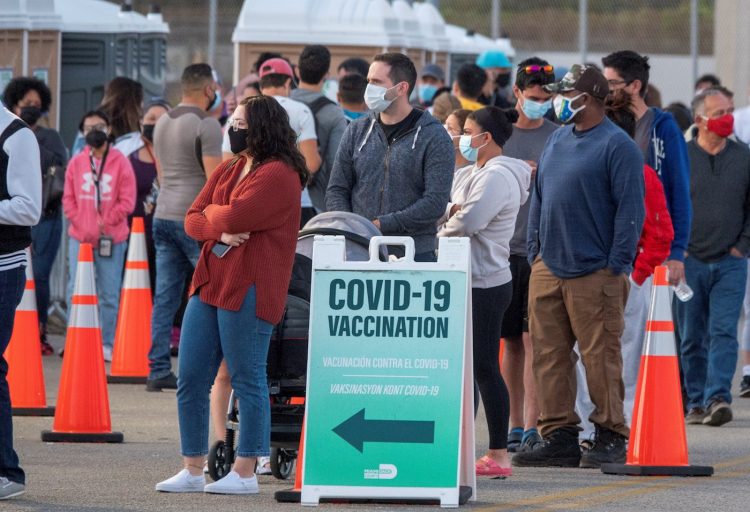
x=405, y=185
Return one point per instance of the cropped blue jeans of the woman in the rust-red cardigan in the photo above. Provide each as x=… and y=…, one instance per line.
x=239, y=337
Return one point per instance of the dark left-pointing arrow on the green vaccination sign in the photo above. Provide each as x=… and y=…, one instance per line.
x=357, y=431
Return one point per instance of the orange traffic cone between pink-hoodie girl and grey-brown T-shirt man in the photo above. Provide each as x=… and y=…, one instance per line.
x=133, y=335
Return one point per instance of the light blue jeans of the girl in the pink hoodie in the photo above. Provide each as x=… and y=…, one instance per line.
x=108, y=275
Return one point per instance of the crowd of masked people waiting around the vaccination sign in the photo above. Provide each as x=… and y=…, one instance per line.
x=571, y=185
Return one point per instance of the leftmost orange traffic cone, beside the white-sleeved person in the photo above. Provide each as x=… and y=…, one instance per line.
x=24, y=356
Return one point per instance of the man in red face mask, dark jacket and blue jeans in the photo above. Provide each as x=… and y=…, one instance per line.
x=716, y=265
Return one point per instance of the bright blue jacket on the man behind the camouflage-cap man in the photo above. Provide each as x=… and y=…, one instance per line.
x=667, y=154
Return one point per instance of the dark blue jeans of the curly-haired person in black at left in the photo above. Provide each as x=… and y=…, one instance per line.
x=46, y=237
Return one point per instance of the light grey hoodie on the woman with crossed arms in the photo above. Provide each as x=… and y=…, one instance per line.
x=490, y=198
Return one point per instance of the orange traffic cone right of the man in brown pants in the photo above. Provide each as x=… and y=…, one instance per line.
x=658, y=444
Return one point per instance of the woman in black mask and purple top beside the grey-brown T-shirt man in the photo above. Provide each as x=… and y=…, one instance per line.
x=140, y=152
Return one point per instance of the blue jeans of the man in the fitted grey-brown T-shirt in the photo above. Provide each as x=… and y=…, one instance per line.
x=176, y=257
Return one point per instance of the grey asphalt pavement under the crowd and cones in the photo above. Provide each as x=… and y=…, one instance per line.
x=121, y=477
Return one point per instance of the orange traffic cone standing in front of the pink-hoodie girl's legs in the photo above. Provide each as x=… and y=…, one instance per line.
x=82, y=414
